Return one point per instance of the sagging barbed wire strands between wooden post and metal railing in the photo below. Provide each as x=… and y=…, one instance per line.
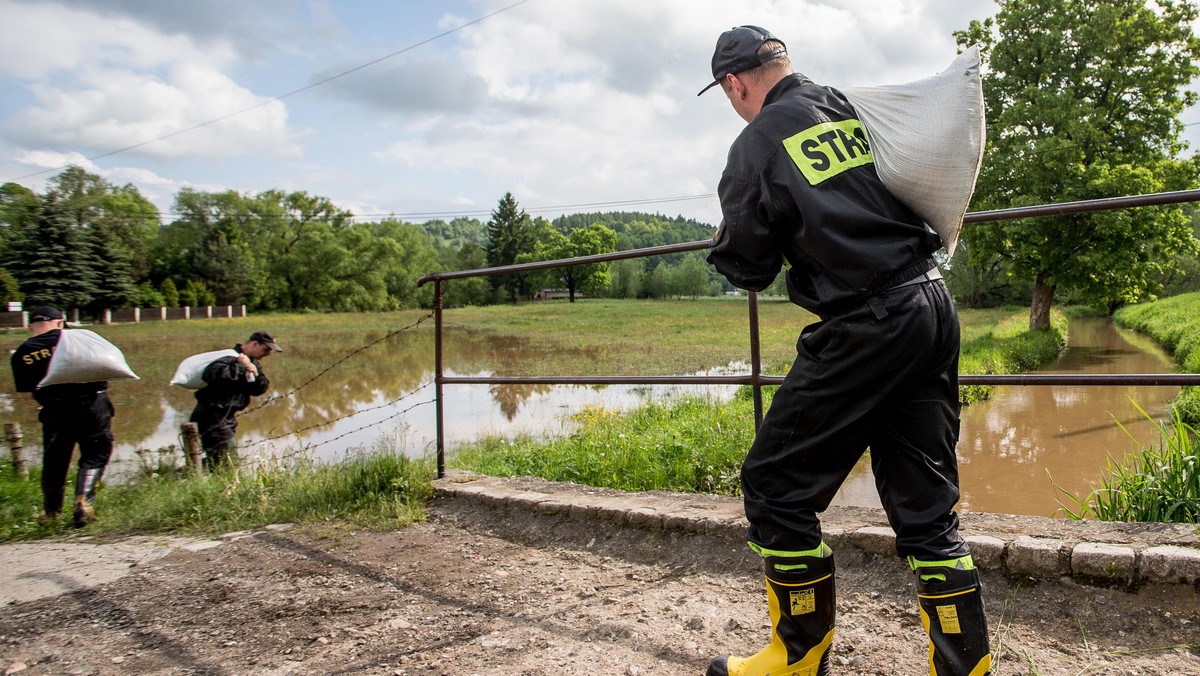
x=307, y=450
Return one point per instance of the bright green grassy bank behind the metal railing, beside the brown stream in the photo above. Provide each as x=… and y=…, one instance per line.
x=698, y=446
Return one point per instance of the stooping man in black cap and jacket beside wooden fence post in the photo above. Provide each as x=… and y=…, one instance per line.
x=230, y=384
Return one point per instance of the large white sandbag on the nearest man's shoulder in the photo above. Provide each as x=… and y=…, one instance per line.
x=928, y=141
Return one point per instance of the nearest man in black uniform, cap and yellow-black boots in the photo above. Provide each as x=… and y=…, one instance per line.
x=879, y=370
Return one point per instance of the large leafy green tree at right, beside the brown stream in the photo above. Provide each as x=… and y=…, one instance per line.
x=1083, y=101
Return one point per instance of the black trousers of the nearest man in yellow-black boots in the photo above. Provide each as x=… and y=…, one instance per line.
x=881, y=376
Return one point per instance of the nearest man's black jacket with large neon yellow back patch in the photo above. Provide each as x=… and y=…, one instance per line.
x=801, y=189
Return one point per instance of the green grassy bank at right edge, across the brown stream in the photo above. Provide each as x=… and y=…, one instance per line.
x=1175, y=325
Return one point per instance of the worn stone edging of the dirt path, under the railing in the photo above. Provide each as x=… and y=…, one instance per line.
x=1039, y=548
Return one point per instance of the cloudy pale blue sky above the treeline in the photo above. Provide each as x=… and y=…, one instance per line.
x=419, y=109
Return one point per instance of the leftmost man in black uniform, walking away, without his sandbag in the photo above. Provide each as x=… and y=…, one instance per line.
x=73, y=414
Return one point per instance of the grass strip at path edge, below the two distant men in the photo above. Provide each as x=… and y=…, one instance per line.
x=381, y=490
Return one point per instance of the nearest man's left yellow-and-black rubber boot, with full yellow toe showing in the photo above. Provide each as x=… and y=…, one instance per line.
x=801, y=600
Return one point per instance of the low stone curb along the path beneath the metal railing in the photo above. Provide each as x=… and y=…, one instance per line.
x=1121, y=564
